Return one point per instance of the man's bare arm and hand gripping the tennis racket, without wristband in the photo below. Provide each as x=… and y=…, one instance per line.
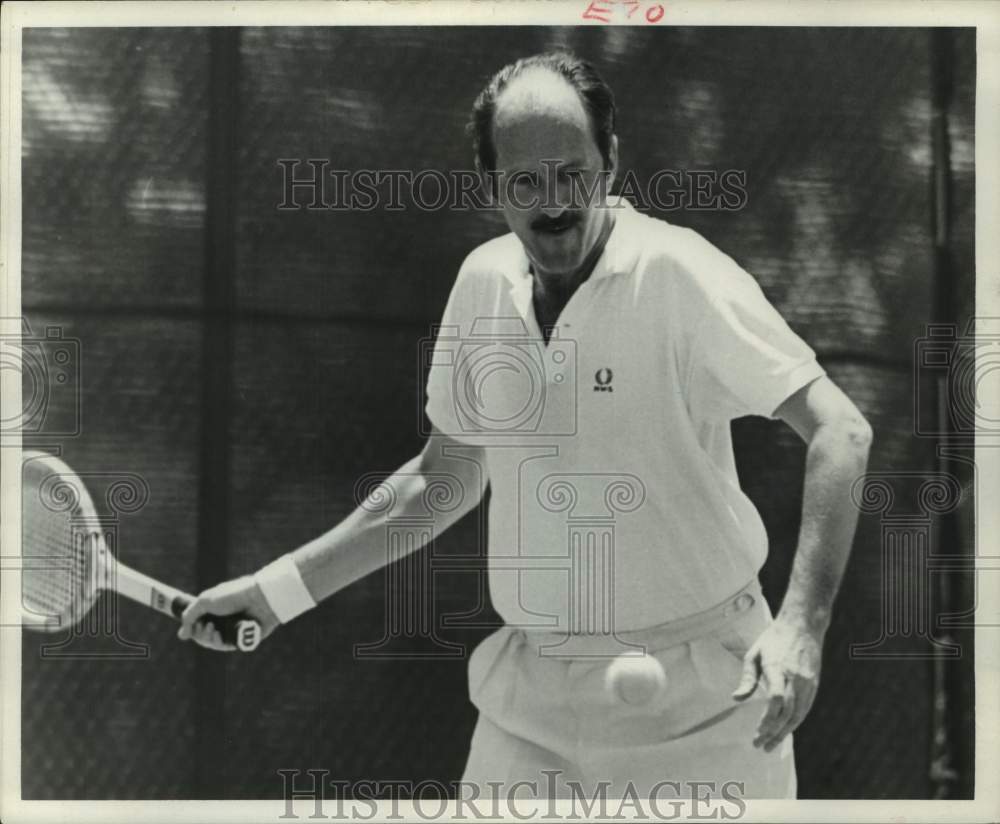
x=356, y=546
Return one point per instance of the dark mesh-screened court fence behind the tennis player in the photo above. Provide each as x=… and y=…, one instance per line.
x=253, y=364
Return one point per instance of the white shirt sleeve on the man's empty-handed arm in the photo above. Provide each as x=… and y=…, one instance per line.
x=745, y=359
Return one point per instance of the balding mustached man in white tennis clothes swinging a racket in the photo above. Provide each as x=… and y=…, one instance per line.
x=589, y=365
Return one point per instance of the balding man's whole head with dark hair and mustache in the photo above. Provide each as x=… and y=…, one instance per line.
x=544, y=128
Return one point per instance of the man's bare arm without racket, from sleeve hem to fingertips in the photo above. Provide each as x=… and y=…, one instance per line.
x=788, y=654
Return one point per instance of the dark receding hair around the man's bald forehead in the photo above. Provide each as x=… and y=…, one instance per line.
x=595, y=94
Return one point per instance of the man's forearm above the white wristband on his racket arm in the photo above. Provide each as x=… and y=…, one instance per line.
x=357, y=545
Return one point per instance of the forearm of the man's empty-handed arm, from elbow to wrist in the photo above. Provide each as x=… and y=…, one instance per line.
x=837, y=455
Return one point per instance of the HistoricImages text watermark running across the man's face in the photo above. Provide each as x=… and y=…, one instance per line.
x=313, y=184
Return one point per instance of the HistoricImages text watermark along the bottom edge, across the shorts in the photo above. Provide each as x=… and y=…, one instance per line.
x=554, y=797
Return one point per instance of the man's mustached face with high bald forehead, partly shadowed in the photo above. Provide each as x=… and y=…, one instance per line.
x=548, y=162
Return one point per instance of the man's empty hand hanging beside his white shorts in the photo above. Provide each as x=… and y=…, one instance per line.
x=786, y=658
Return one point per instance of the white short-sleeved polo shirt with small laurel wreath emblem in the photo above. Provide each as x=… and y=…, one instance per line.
x=615, y=501
